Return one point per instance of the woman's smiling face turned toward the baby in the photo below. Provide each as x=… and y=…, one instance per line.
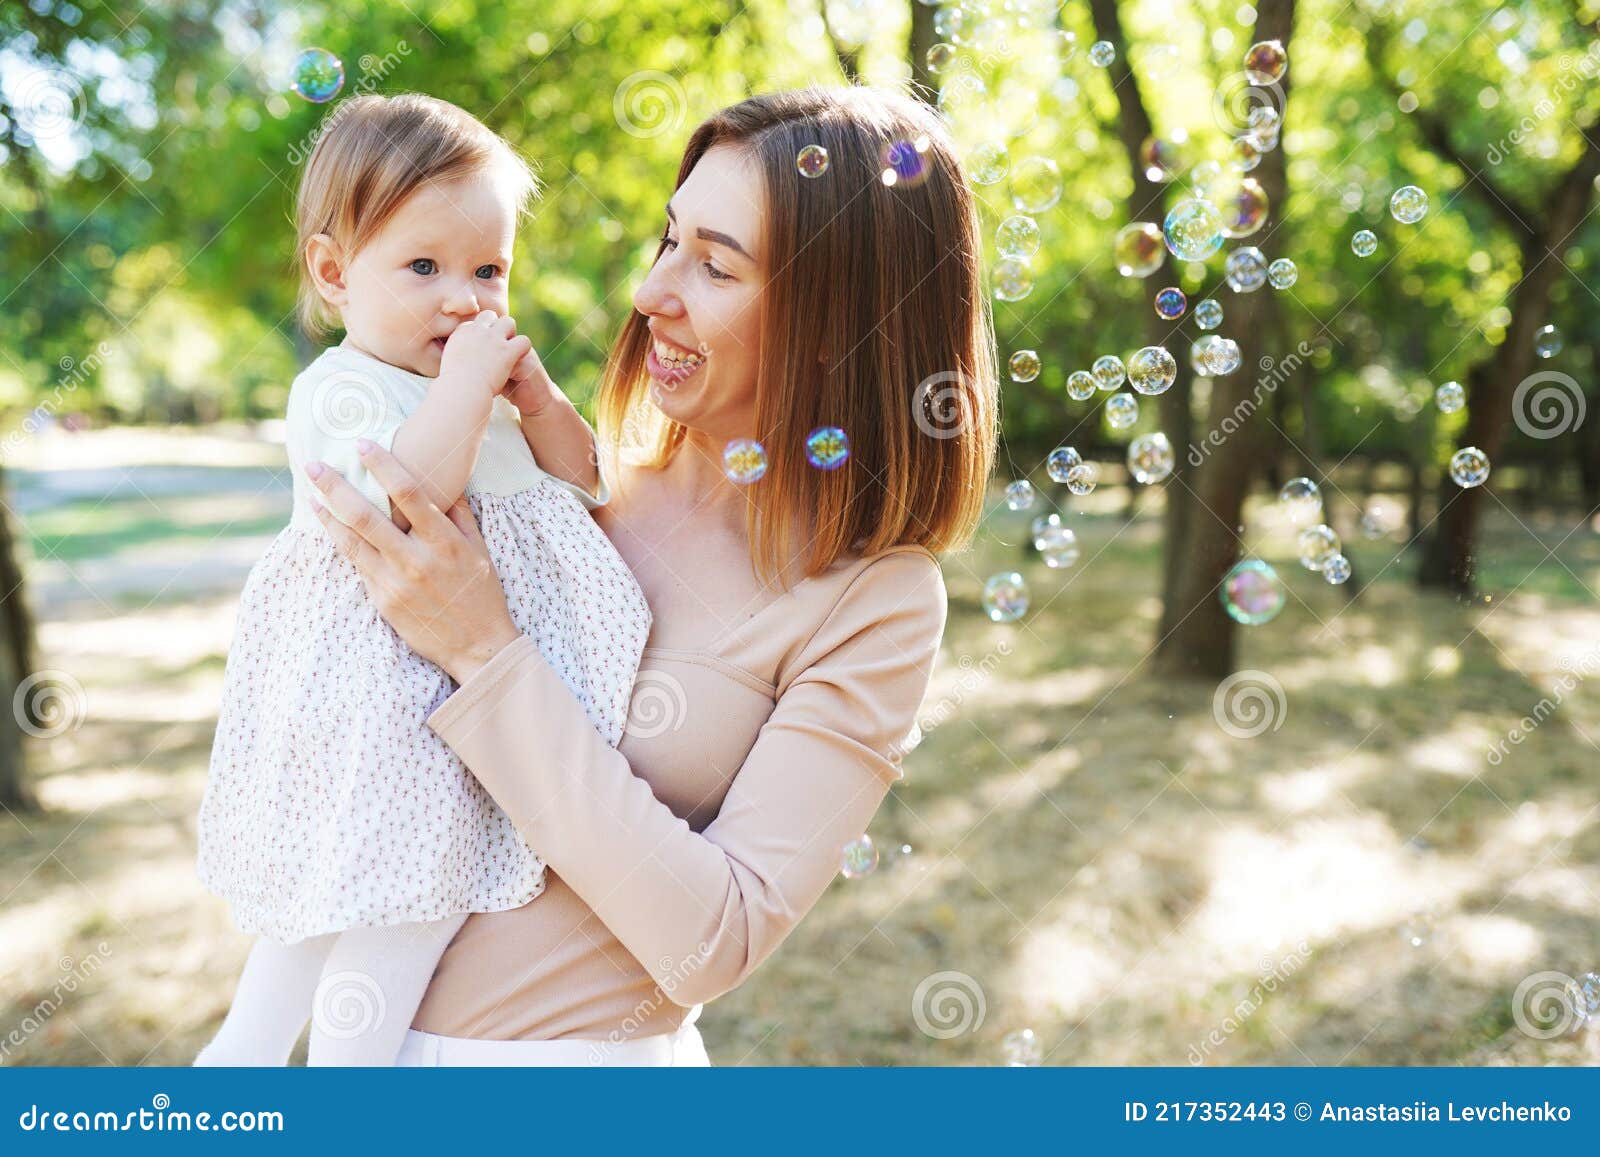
x=703, y=298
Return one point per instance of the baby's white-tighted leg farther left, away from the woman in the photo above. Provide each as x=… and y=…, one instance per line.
x=271, y=1004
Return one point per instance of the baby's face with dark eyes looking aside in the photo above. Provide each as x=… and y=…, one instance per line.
x=442, y=257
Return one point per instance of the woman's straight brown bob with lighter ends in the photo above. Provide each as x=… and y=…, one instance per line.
x=874, y=319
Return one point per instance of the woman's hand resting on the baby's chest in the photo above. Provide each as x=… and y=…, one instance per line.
x=436, y=585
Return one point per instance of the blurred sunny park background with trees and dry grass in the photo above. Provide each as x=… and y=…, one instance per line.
x=1335, y=809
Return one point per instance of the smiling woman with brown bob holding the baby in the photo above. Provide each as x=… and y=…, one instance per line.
x=796, y=619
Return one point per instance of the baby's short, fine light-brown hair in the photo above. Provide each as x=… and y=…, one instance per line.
x=377, y=151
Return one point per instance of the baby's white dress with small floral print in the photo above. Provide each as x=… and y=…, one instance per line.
x=330, y=803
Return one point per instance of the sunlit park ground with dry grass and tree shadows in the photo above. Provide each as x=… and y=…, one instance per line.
x=1111, y=862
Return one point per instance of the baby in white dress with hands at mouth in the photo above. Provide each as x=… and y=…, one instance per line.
x=346, y=836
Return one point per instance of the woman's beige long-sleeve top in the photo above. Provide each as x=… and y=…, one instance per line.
x=682, y=859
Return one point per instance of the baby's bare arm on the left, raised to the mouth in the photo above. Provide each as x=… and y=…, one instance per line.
x=442, y=438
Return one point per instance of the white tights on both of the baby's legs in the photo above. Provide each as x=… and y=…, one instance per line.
x=359, y=988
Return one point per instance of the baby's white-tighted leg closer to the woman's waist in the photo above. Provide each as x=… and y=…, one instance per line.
x=372, y=988
